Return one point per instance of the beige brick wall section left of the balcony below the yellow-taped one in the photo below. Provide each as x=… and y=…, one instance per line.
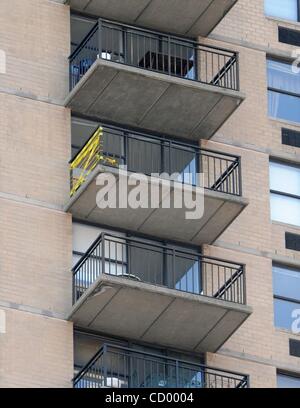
x=35, y=255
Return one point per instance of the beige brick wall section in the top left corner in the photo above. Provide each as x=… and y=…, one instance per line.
x=35, y=36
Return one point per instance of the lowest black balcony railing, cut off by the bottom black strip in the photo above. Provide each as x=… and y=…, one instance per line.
x=118, y=367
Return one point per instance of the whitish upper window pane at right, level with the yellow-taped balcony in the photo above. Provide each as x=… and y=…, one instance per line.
x=285, y=178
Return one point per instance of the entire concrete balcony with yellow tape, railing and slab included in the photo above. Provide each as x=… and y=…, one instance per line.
x=216, y=193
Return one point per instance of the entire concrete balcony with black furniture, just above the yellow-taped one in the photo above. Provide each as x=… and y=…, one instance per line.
x=153, y=82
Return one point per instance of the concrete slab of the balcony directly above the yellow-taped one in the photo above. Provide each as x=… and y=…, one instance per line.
x=152, y=101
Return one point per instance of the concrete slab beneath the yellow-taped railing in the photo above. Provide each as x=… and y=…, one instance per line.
x=220, y=210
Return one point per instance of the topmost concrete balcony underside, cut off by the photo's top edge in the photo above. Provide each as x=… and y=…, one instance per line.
x=193, y=18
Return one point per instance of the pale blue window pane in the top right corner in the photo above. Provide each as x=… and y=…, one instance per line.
x=286, y=9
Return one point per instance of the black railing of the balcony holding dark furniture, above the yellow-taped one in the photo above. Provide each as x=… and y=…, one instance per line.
x=157, y=52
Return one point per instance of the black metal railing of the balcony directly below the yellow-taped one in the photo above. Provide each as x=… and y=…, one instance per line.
x=160, y=265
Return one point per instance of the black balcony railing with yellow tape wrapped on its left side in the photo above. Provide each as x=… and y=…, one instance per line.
x=146, y=154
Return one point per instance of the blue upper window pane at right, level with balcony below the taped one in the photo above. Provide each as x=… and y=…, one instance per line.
x=286, y=282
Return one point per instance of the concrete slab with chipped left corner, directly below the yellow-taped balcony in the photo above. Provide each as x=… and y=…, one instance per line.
x=157, y=315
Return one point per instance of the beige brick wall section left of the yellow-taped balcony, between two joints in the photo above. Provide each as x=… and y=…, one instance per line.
x=35, y=149
